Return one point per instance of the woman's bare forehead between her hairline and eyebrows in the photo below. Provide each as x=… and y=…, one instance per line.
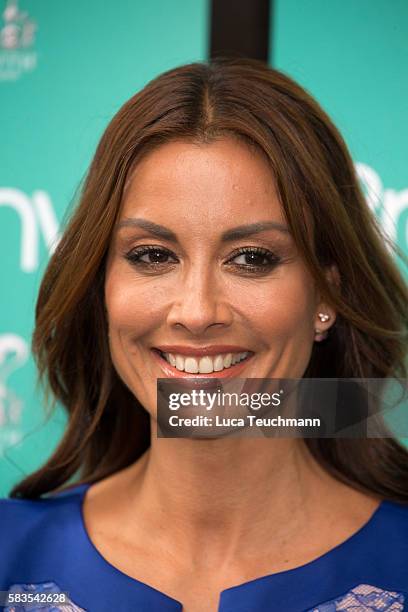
x=203, y=183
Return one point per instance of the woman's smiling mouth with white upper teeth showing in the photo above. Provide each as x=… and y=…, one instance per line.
x=205, y=365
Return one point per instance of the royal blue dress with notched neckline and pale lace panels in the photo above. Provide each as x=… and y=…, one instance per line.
x=44, y=548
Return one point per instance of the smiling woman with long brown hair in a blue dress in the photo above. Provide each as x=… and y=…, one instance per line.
x=221, y=228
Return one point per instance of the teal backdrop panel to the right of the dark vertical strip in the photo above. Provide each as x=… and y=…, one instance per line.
x=352, y=56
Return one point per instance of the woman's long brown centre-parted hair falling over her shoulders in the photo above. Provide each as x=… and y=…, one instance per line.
x=315, y=175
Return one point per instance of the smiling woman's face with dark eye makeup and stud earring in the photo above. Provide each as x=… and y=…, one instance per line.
x=202, y=268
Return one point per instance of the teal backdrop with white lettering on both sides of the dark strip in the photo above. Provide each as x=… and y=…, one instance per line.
x=66, y=68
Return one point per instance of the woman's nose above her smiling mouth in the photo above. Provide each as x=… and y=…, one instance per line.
x=200, y=302
